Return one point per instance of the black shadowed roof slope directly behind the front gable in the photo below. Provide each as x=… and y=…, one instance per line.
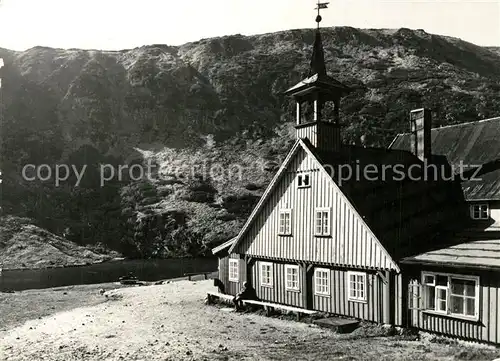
x=408, y=212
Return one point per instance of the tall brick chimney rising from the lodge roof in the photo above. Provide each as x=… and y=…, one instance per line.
x=420, y=126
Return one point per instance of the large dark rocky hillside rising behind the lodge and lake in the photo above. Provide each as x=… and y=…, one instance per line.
x=211, y=118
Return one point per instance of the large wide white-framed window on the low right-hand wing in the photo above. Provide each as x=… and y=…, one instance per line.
x=455, y=295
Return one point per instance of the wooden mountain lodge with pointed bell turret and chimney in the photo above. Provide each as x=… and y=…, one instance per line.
x=396, y=249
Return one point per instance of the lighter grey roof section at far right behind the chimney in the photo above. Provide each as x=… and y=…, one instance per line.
x=471, y=144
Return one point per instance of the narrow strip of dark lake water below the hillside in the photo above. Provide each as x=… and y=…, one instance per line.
x=145, y=270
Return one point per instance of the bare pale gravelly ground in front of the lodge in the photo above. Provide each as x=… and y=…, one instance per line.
x=171, y=322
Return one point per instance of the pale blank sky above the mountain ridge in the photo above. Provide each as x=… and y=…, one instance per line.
x=121, y=24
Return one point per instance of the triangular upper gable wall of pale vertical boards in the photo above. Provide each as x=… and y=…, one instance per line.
x=352, y=243
